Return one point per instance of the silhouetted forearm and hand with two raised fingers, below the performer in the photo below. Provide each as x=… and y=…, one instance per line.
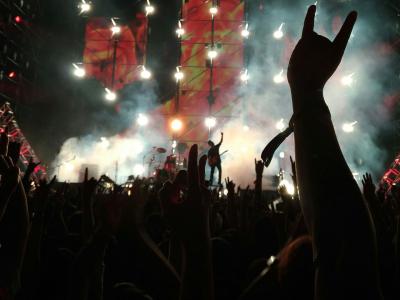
x=187, y=211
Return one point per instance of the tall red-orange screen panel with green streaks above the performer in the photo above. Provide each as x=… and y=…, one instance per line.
x=211, y=64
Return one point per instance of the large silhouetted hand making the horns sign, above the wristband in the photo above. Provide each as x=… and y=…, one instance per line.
x=315, y=58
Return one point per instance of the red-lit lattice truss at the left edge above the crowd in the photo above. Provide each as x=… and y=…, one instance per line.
x=7, y=119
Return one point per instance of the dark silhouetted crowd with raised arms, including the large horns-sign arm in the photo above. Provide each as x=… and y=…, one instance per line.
x=149, y=239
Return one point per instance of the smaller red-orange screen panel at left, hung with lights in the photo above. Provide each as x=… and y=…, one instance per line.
x=115, y=50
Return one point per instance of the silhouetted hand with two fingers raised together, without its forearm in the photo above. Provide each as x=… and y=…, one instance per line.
x=186, y=207
